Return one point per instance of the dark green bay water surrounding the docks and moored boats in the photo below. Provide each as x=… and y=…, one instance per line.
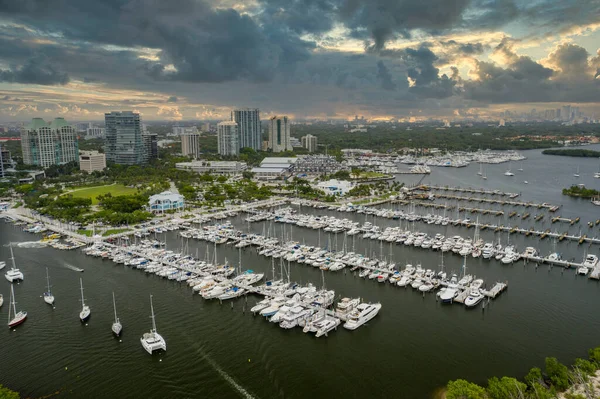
x=414, y=346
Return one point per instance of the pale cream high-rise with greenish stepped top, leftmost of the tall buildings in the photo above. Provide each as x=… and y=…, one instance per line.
x=46, y=144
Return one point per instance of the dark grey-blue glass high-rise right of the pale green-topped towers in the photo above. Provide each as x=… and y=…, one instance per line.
x=124, y=142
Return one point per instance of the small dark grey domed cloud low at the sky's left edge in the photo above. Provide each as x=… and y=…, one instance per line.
x=34, y=71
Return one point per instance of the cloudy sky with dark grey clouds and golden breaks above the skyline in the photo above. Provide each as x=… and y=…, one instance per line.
x=198, y=59
